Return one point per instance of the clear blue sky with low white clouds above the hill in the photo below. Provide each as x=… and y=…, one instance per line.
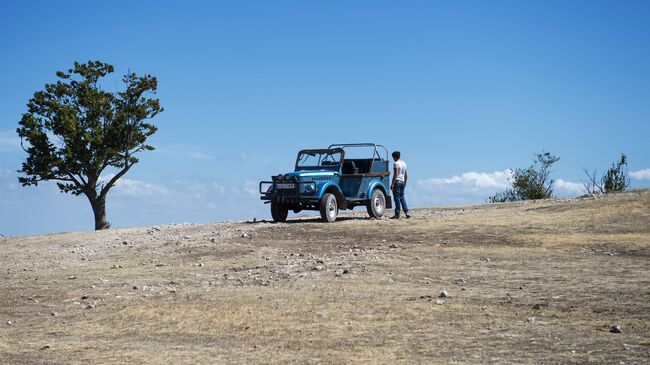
x=465, y=89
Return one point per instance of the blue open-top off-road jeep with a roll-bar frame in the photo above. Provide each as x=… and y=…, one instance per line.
x=327, y=180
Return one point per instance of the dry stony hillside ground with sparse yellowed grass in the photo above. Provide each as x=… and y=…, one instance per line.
x=535, y=282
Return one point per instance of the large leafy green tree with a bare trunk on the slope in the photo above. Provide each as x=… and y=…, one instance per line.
x=74, y=131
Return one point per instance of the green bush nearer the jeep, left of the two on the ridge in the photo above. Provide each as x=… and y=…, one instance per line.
x=530, y=183
